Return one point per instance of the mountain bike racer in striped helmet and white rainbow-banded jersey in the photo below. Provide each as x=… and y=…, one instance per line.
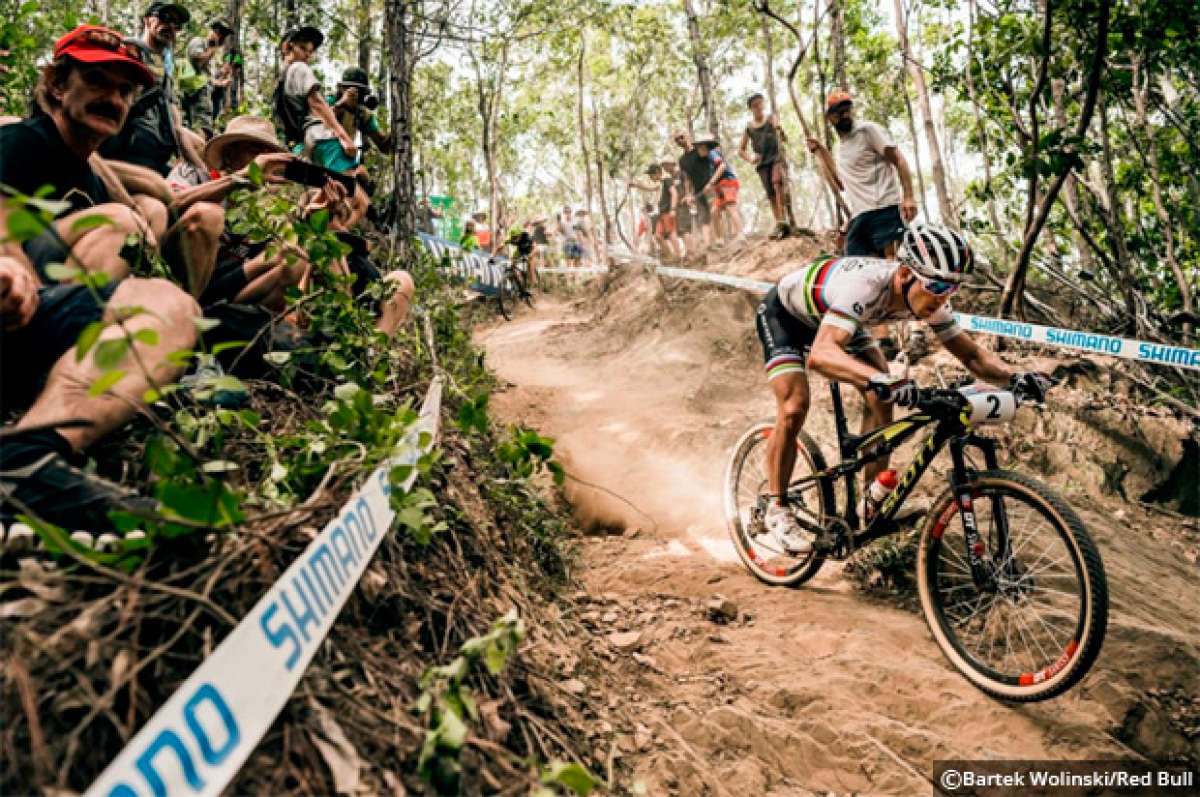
x=818, y=317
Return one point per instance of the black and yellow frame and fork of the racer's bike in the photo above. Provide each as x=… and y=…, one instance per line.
x=859, y=451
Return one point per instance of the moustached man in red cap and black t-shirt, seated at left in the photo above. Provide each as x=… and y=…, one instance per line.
x=87, y=92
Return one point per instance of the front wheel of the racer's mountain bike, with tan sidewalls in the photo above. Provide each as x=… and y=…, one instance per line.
x=1036, y=631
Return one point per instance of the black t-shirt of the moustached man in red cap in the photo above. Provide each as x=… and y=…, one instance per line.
x=33, y=154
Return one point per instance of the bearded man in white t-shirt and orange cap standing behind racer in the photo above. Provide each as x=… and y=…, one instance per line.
x=867, y=171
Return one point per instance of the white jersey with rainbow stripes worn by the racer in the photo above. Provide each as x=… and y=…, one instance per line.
x=851, y=293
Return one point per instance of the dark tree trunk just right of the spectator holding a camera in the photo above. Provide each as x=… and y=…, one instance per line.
x=403, y=53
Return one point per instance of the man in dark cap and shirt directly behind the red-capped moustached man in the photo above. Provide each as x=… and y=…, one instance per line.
x=154, y=133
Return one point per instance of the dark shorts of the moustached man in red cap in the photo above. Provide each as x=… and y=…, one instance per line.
x=29, y=353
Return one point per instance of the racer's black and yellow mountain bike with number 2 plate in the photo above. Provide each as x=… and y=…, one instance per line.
x=1011, y=583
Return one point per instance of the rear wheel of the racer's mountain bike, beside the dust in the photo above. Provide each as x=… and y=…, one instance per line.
x=746, y=487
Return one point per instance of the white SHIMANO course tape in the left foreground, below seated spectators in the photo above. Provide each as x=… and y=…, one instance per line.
x=201, y=738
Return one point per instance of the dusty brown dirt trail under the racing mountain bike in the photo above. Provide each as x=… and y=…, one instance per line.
x=811, y=691
